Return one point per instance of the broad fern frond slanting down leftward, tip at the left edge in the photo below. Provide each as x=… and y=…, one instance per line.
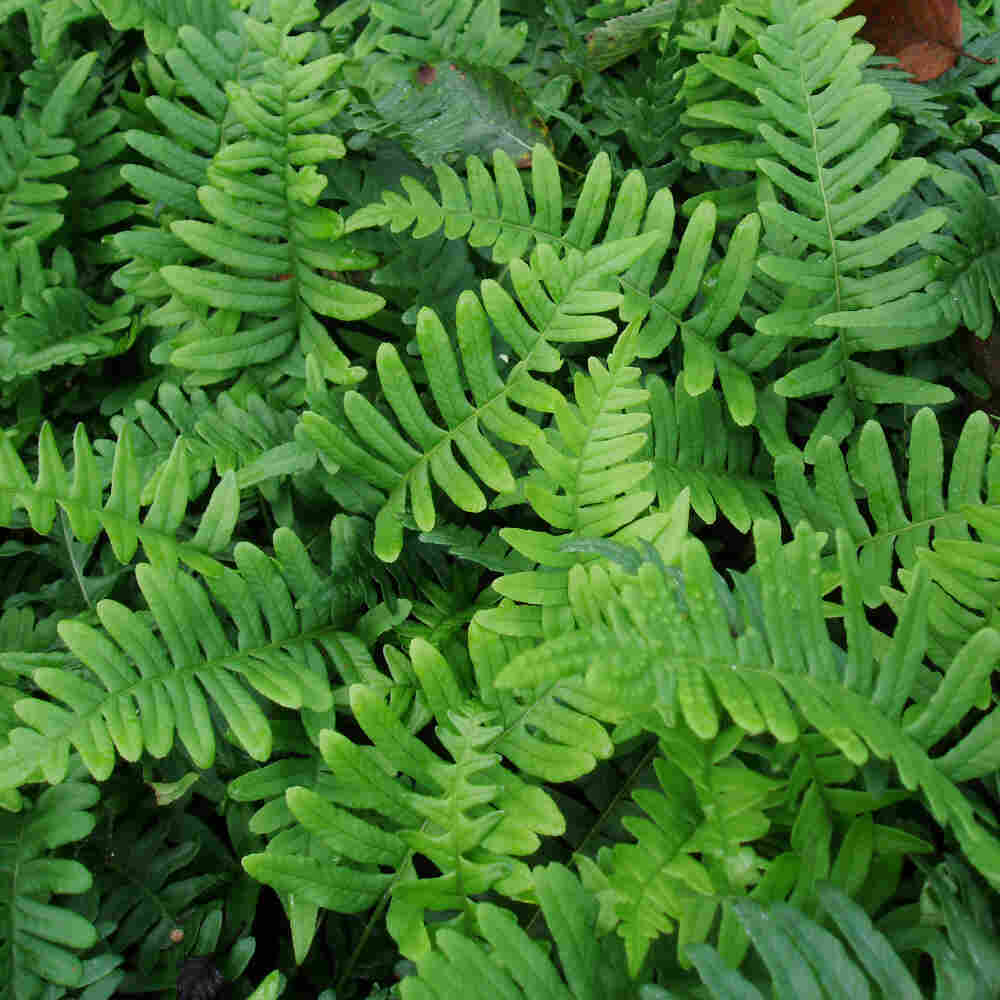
x=147, y=686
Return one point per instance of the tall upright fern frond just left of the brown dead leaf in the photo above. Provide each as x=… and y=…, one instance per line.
x=836, y=174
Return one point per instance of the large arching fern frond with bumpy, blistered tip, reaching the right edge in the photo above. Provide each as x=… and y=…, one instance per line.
x=656, y=641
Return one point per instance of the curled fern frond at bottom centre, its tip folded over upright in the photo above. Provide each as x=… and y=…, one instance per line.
x=468, y=818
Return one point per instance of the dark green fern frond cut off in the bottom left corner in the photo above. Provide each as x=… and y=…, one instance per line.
x=40, y=939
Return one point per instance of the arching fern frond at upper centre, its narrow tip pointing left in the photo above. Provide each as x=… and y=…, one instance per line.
x=496, y=213
